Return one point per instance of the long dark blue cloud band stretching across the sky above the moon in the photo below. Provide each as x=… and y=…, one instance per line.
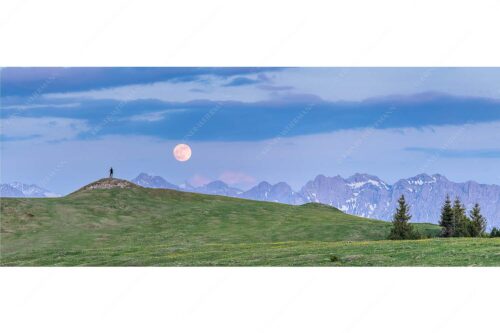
x=287, y=116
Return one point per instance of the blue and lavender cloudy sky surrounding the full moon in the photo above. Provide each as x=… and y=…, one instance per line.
x=64, y=127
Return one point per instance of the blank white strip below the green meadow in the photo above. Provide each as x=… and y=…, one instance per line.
x=249, y=299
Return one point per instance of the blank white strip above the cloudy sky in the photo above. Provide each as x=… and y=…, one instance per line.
x=250, y=33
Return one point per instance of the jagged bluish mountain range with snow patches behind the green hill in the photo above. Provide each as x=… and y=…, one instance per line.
x=361, y=194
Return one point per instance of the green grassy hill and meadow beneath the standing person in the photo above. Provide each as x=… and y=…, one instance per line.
x=139, y=226
